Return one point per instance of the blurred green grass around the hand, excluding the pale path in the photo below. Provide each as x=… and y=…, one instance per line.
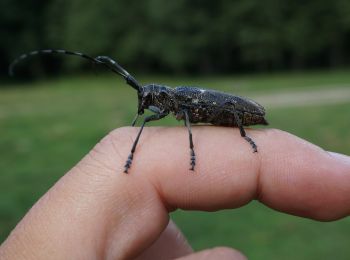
x=47, y=126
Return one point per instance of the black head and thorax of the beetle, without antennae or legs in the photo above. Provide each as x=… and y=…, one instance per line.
x=159, y=96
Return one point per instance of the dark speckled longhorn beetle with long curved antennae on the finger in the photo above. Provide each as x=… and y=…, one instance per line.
x=191, y=104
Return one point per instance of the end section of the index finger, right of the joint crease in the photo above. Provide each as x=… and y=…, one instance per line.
x=300, y=178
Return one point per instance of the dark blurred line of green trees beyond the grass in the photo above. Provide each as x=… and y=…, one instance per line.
x=222, y=36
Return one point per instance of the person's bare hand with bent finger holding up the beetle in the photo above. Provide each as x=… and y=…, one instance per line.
x=96, y=211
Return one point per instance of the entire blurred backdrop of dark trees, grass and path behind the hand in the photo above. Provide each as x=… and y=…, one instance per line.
x=291, y=56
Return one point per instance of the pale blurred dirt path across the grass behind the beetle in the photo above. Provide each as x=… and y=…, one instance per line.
x=298, y=98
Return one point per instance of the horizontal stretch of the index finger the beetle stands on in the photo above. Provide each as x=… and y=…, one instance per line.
x=288, y=173
